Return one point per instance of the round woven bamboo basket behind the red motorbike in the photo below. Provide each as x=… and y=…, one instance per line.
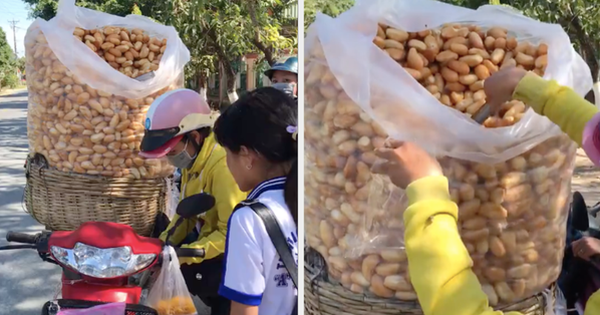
x=63, y=201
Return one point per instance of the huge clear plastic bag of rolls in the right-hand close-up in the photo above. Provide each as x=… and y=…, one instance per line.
x=414, y=71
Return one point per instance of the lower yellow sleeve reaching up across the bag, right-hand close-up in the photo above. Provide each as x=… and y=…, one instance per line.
x=439, y=264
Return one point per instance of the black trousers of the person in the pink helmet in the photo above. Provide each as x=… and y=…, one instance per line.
x=202, y=279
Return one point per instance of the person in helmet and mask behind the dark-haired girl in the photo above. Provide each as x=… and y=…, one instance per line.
x=284, y=76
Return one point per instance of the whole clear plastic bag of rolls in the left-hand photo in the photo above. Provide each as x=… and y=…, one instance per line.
x=91, y=78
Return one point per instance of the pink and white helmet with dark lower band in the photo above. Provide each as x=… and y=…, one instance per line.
x=171, y=116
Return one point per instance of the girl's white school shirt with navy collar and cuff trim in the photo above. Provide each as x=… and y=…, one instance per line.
x=254, y=274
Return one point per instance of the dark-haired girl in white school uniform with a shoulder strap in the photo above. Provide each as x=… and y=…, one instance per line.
x=259, y=133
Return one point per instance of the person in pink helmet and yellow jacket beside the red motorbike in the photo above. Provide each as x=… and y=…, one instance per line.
x=179, y=126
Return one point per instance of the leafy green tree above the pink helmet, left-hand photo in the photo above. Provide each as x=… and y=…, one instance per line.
x=219, y=32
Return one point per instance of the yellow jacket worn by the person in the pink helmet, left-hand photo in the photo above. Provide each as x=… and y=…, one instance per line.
x=209, y=174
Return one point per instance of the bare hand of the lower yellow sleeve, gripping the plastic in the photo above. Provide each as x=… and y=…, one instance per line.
x=405, y=162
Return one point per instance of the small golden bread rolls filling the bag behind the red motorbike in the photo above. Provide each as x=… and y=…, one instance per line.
x=83, y=130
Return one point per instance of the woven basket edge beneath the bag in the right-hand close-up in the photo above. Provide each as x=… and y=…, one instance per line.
x=324, y=297
